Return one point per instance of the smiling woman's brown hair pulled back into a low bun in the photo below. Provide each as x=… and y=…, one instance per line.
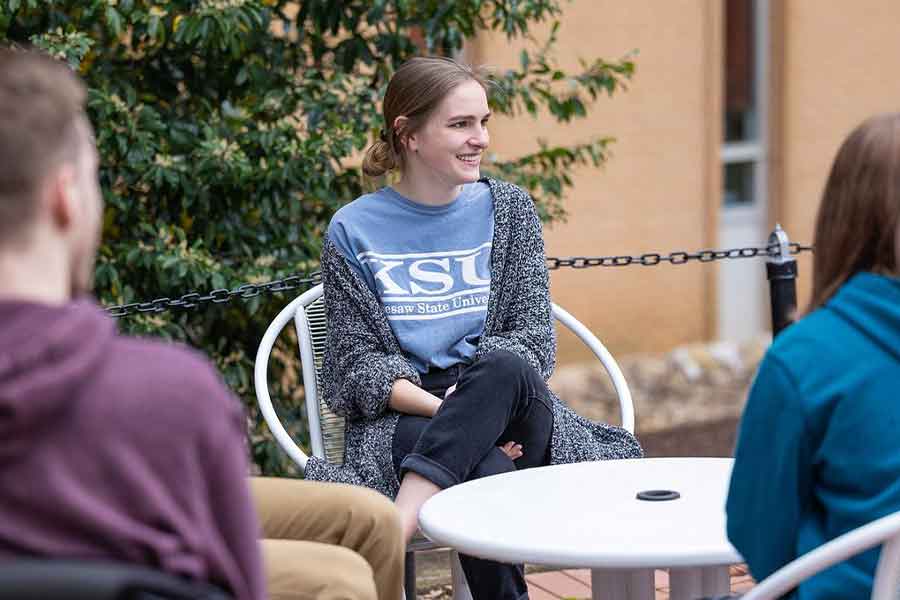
x=415, y=91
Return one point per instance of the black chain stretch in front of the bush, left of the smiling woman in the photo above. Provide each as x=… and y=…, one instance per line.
x=219, y=296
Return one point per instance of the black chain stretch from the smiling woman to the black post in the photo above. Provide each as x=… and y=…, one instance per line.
x=676, y=258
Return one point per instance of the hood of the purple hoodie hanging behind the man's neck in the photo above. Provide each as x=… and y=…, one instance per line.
x=46, y=353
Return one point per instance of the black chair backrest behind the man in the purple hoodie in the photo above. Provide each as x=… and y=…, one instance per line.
x=50, y=579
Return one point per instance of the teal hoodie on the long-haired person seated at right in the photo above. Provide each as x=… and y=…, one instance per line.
x=818, y=451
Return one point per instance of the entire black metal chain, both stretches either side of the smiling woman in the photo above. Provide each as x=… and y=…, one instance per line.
x=293, y=282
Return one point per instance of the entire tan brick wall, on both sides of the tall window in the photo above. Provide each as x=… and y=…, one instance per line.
x=833, y=64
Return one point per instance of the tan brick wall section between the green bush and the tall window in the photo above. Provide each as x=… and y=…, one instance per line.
x=655, y=193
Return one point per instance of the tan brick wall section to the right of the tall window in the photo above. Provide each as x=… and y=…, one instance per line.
x=840, y=65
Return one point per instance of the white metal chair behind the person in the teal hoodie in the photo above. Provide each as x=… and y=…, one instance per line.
x=885, y=530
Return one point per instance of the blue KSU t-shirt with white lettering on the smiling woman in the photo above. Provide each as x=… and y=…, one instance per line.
x=429, y=266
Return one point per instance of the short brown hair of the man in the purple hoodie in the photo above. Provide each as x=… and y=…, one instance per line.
x=41, y=101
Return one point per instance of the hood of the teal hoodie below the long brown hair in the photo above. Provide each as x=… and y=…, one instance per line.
x=871, y=304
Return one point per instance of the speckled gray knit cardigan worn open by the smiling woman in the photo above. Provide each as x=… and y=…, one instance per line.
x=363, y=358
